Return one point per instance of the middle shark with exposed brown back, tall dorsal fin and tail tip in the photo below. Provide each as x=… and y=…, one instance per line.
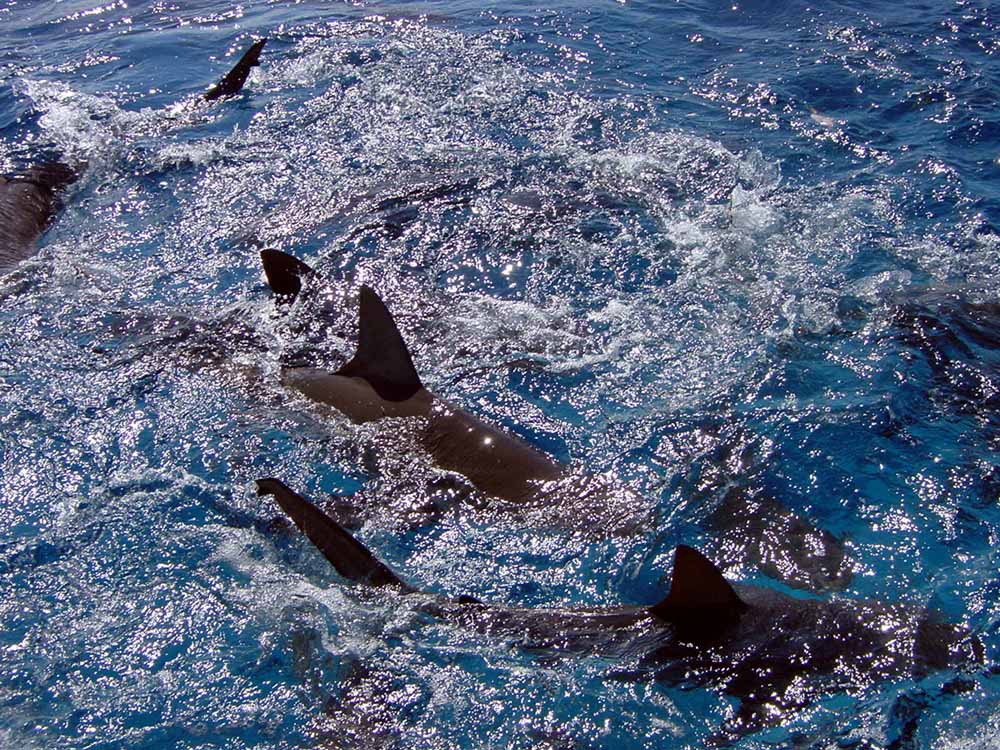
x=381, y=382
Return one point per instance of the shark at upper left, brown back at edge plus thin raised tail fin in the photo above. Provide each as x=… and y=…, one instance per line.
x=30, y=200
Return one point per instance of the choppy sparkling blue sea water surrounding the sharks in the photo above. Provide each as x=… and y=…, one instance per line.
x=701, y=225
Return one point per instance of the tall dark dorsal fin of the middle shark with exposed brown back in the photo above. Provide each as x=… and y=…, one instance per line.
x=382, y=358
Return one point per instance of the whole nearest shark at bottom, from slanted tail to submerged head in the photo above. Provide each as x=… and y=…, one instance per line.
x=773, y=652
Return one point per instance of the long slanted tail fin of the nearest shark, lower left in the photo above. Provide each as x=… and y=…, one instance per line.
x=351, y=558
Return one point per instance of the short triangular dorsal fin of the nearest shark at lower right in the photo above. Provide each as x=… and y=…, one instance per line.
x=698, y=592
